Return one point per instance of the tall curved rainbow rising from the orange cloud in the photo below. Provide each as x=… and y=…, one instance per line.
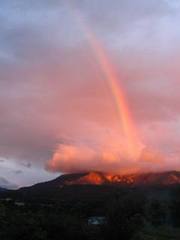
x=133, y=143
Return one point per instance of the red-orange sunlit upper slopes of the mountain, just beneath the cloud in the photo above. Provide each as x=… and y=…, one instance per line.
x=99, y=178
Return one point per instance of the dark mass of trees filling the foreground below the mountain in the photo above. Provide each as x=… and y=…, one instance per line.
x=129, y=216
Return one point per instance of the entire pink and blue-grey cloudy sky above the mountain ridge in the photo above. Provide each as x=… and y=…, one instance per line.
x=58, y=113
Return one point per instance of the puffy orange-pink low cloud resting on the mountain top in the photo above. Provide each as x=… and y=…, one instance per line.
x=108, y=158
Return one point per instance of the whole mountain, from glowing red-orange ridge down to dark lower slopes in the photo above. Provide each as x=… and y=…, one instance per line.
x=97, y=187
